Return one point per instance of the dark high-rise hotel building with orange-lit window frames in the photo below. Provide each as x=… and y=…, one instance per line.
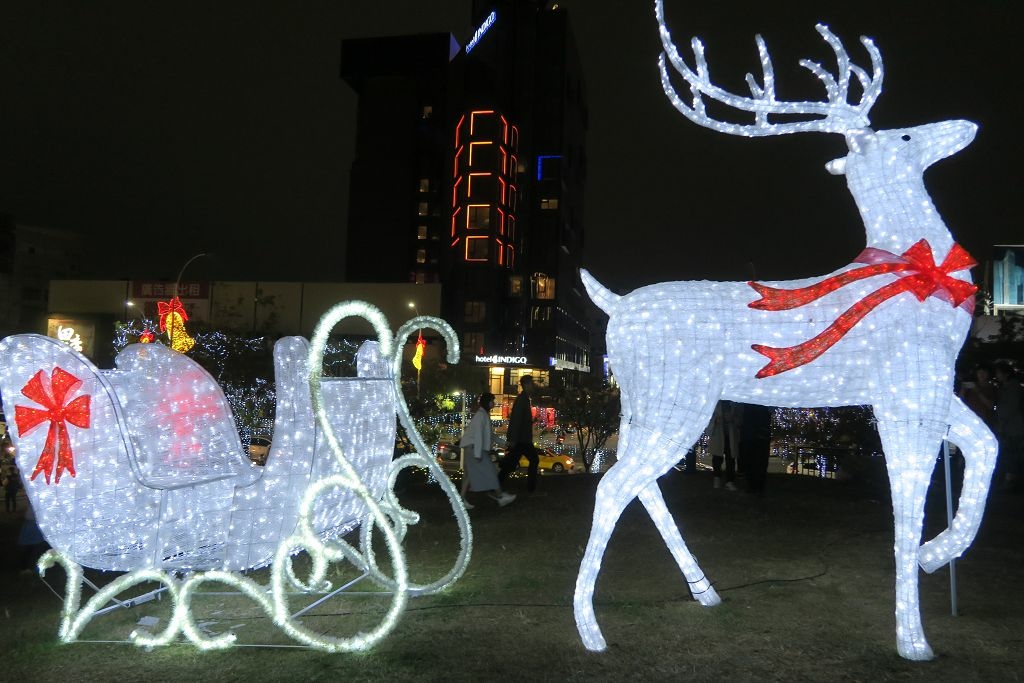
x=486, y=193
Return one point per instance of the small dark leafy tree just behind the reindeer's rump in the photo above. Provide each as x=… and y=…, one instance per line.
x=591, y=411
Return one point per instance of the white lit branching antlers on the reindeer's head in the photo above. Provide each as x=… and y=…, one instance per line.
x=834, y=116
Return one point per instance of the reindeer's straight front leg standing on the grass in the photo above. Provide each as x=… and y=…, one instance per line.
x=911, y=449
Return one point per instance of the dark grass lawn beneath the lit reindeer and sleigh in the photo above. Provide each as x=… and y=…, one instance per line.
x=805, y=573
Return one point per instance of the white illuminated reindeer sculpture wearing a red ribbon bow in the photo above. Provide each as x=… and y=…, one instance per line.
x=884, y=331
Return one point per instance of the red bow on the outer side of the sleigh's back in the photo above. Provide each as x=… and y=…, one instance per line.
x=77, y=413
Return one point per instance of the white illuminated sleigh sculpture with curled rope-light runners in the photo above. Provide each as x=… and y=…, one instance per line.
x=149, y=476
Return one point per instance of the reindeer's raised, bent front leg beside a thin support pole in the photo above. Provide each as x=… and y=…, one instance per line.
x=978, y=446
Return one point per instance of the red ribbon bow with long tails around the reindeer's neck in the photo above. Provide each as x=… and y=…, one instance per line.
x=924, y=280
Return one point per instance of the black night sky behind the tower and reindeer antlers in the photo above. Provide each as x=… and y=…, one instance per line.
x=163, y=131
